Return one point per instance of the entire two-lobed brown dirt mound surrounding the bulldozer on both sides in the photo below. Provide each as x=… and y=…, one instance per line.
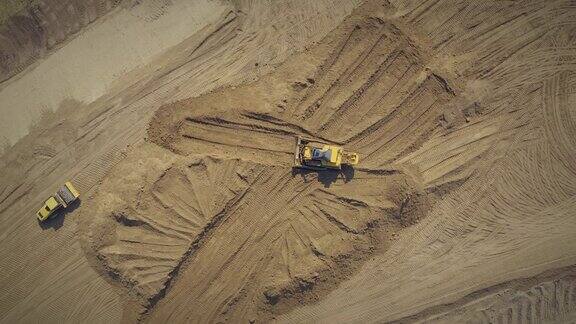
x=282, y=237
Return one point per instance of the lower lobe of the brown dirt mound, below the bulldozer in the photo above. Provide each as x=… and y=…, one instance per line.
x=157, y=227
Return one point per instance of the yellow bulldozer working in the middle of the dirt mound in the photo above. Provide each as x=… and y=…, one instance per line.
x=319, y=156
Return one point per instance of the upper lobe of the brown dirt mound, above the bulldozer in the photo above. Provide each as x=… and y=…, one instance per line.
x=370, y=91
